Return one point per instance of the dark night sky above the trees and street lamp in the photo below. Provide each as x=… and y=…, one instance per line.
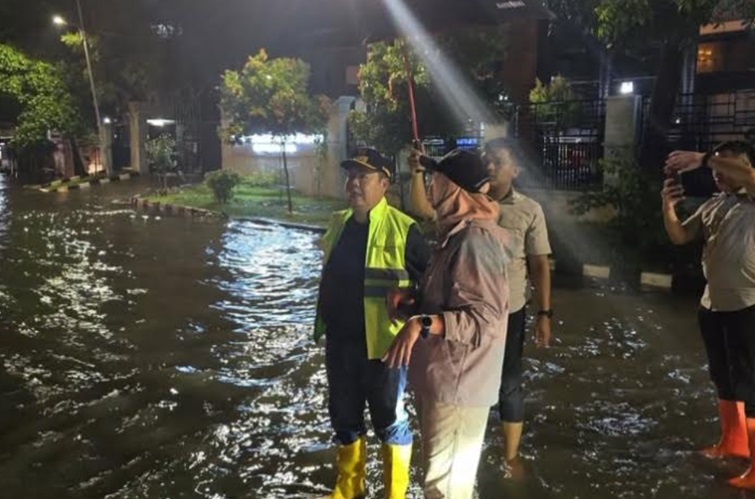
x=221, y=34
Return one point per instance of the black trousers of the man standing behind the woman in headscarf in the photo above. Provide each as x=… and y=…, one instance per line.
x=511, y=393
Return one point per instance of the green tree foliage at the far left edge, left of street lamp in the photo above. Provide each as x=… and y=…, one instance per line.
x=35, y=93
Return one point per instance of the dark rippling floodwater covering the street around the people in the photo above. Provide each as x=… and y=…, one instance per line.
x=169, y=357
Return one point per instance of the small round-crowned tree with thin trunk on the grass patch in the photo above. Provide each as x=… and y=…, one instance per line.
x=270, y=96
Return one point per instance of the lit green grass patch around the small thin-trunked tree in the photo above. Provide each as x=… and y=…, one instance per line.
x=251, y=201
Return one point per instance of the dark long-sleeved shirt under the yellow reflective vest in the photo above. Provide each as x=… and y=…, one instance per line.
x=342, y=285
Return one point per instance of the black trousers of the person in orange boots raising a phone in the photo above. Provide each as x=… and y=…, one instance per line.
x=729, y=339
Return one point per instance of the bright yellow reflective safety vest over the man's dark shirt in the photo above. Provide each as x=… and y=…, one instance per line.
x=384, y=269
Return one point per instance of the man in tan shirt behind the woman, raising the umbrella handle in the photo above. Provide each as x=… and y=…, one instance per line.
x=524, y=220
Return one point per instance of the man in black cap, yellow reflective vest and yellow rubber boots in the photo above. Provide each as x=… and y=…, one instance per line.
x=369, y=249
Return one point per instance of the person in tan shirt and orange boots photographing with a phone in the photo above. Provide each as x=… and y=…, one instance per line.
x=726, y=224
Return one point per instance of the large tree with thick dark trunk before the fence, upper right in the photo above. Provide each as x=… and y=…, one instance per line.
x=669, y=25
